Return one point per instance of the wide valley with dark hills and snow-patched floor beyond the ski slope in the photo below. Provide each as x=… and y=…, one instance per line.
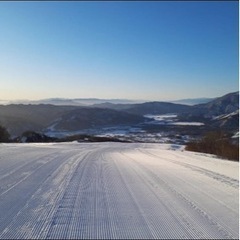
x=135, y=122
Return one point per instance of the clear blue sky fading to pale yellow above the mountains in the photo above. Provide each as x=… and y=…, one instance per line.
x=133, y=50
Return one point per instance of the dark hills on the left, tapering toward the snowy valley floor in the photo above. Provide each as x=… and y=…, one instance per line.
x=20, y=118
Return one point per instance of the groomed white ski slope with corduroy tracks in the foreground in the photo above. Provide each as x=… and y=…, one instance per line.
x=116, y=190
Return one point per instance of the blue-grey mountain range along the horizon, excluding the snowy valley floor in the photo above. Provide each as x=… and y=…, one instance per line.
x=65, y=114
